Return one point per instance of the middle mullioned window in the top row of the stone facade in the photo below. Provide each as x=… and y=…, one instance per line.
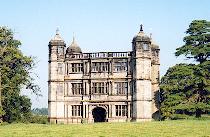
x=100, y=66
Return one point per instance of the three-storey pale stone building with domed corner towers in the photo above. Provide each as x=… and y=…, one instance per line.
x=102, y=86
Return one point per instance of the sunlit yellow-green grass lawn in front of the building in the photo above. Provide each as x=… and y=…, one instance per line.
x=176, y=128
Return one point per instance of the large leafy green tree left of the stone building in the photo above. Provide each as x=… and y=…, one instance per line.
x=15, y=69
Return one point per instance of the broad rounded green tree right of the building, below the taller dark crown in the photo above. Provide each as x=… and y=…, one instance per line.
x=185, y=90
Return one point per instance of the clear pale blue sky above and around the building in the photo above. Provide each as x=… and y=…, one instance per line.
x=99, y=25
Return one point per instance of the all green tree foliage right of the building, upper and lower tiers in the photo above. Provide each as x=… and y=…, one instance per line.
x=186, y=87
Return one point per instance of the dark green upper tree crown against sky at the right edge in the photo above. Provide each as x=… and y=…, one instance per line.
x=197, y=42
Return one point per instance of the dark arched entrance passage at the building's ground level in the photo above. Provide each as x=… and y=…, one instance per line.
x=99, y=114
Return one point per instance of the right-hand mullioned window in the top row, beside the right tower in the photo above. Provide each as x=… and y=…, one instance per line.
x=120, y=65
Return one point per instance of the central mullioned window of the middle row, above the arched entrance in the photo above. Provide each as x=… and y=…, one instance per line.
x=99, y=88
